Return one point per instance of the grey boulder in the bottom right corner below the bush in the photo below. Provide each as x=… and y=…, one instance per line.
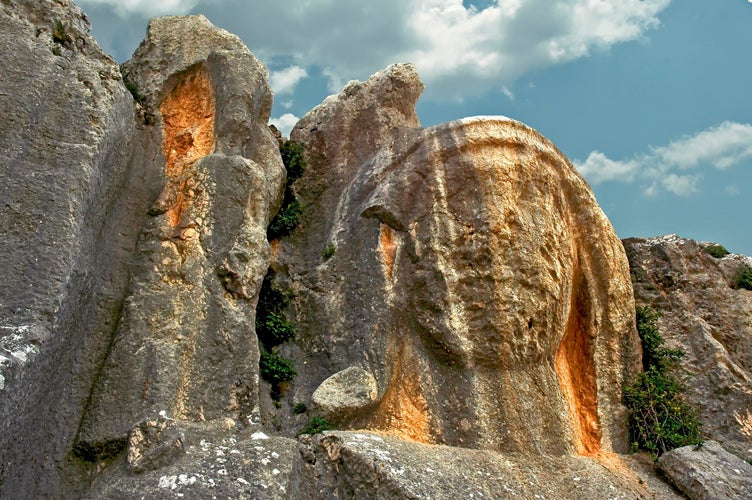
x=707, y=472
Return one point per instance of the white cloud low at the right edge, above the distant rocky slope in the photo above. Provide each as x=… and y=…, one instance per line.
x=665, y=167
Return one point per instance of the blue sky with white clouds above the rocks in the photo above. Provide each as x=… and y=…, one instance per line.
x=649, y=99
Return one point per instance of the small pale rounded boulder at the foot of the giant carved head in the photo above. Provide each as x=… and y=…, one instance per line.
x=344, y=394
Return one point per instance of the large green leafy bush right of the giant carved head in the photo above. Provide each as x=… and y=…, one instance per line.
x=659, y=417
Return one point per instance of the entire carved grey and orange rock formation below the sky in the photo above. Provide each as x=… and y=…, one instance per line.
x=464, y=309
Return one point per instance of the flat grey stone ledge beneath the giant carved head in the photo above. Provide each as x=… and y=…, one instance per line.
x=366, y=465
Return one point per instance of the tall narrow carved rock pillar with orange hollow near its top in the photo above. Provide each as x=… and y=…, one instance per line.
x=203, y=251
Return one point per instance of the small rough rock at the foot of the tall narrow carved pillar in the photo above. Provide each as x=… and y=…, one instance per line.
x=154, y=443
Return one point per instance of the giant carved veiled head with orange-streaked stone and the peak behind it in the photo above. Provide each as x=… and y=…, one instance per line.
x=474, y=276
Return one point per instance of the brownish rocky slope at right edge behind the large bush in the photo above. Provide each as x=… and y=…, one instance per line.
x=707, y=319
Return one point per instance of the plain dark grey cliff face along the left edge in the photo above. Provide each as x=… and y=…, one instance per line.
x=68, y=187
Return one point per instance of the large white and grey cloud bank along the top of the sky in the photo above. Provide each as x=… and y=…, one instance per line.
x=459, y=51
